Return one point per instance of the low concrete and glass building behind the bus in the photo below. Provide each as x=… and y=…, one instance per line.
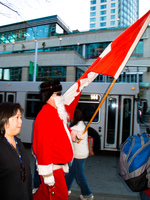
x=65, y=55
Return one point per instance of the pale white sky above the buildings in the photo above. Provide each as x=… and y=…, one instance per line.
x=74, y=13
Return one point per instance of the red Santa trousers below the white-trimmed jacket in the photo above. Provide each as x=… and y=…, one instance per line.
x=60, y=189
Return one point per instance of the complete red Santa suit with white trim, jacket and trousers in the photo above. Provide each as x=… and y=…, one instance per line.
x=53, y=149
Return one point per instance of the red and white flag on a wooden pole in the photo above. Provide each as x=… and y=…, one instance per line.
x=111, y=62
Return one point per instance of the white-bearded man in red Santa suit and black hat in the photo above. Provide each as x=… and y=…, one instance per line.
x=52, y=143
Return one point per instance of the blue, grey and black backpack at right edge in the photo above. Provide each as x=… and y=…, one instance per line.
x=134, y=163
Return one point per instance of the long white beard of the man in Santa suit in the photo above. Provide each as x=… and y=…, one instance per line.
x=59, y=101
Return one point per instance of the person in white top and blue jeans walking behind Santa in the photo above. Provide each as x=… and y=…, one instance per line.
x=81, y=152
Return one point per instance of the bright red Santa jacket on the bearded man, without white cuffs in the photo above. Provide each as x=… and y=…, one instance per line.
x=51, y=143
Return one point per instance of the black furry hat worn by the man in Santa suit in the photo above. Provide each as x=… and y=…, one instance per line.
x=48, y=88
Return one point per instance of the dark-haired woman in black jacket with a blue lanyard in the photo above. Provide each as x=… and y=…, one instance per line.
x=15, y=172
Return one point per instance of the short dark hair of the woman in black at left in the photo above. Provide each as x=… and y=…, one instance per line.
x=7, y=110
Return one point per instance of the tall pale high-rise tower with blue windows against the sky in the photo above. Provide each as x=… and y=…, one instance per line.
x=113, y=13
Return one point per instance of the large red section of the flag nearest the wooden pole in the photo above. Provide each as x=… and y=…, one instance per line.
x=120, y=47
